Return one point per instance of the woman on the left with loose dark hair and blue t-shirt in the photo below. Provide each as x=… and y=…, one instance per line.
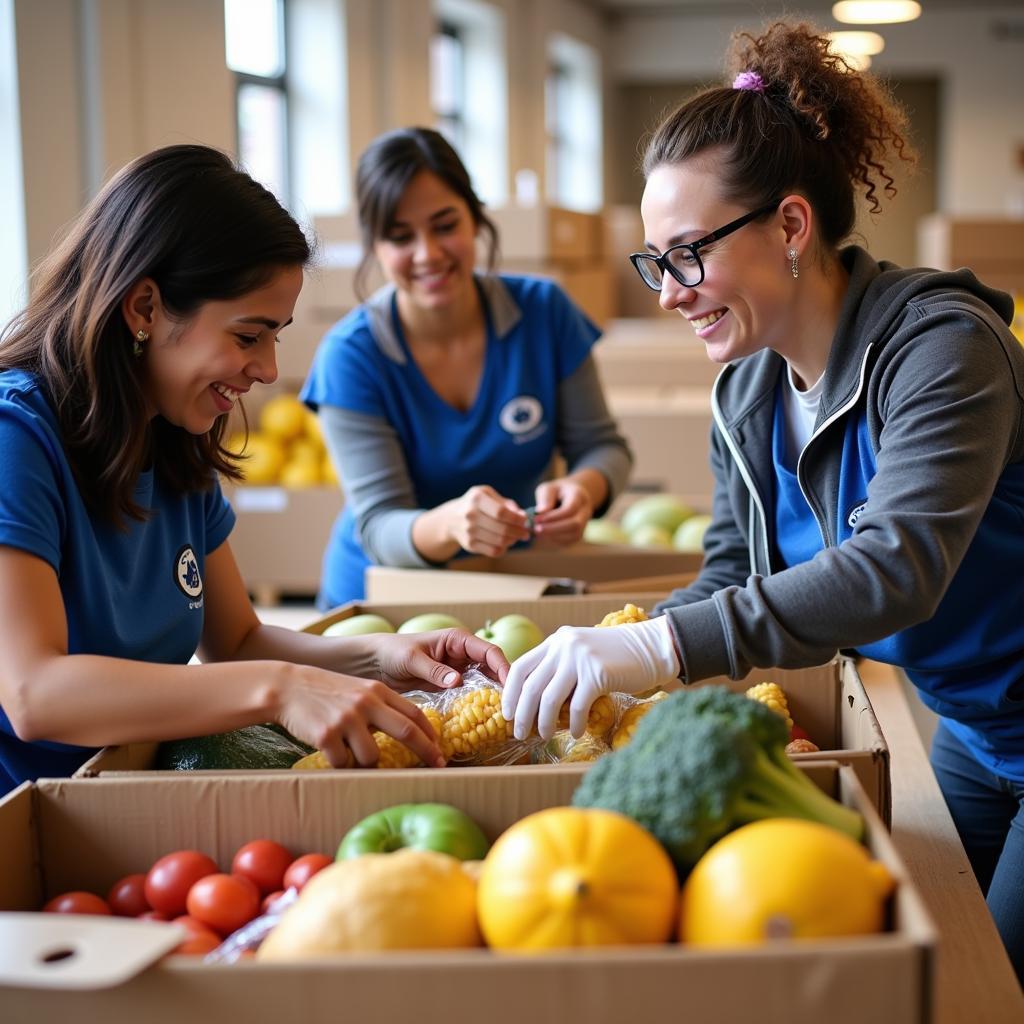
x=158, y=313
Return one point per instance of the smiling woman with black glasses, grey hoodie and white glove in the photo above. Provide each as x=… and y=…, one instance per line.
x=869, y=441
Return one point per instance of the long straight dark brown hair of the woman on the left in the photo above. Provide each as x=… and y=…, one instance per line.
x=203, y=231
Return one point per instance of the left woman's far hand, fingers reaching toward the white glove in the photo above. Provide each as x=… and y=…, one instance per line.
x=437, y=660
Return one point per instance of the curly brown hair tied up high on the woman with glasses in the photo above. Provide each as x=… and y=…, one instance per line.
x=820, y=129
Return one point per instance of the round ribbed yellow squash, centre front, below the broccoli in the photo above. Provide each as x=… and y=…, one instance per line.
x=576, y=877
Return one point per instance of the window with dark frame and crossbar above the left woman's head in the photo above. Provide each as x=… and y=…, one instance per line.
x=254, y=36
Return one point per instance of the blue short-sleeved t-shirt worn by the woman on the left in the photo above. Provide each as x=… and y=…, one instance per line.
x=135, y=593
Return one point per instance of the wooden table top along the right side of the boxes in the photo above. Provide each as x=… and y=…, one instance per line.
x=974, y=983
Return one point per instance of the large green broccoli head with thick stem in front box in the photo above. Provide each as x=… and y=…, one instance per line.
x=704, y=762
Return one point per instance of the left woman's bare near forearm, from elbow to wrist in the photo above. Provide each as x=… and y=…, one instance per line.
x=93, y=701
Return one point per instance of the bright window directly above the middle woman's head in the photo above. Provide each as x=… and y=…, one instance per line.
x=470, y=91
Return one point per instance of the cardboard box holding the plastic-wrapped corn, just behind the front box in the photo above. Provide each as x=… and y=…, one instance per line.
x=829, y=702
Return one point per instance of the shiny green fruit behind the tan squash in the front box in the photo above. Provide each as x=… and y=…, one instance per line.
x=417, y=827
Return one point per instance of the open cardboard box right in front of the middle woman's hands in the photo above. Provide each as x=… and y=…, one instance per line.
x=532, y=574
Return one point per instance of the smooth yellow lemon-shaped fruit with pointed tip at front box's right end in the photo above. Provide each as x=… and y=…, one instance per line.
x=783, y=878
